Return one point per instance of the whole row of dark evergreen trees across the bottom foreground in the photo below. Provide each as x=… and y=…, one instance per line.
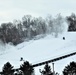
x=27, y=69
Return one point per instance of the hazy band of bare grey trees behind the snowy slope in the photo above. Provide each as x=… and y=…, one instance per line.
x=29, y=27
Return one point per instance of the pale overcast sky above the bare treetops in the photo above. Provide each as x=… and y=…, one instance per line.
x=16, y=9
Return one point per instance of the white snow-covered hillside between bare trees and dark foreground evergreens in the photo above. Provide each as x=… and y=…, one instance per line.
x=43, y=49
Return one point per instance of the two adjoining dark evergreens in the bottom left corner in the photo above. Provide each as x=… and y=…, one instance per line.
x=25, y=69
